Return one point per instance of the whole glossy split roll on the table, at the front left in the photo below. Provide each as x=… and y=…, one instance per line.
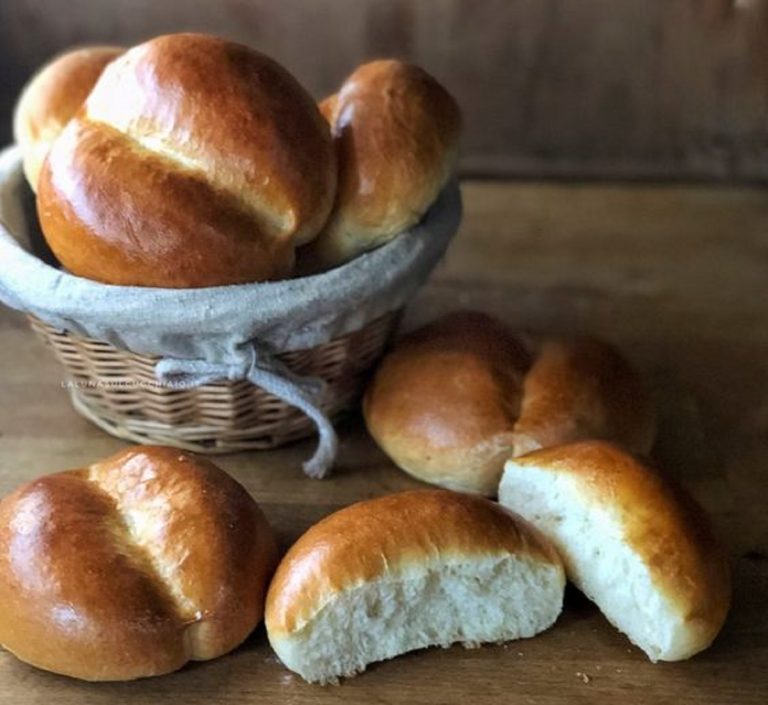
x=131, y=567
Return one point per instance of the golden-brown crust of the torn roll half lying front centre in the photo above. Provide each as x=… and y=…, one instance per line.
x=388, y=537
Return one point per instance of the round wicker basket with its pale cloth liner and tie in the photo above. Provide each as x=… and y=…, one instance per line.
x=206, y=334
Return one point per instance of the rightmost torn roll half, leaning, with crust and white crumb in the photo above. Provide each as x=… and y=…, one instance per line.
x=634, y=544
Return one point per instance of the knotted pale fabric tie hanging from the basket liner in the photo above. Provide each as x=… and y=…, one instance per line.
x=263, y=369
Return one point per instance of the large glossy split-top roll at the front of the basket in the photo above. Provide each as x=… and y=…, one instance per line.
x=194, y=162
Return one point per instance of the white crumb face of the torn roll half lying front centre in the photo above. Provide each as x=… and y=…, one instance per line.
x=488, y=599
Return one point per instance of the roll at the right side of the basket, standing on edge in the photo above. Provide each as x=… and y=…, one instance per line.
x=396, y=131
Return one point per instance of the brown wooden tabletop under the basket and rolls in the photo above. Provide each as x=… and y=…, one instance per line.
x=676, y=276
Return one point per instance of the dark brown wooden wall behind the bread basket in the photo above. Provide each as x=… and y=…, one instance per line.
x=577, y=88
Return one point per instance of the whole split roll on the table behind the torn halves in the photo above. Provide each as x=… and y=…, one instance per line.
x=455, y=399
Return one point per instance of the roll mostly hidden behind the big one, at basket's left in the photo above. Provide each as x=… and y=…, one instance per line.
x=51, y=99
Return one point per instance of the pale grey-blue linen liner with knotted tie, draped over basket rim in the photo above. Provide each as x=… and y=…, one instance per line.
x=225, y=332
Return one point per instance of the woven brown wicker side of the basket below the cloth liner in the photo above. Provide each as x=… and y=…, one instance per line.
x=117, y=390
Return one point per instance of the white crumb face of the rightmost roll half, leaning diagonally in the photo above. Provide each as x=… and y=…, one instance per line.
x=590, y=540
